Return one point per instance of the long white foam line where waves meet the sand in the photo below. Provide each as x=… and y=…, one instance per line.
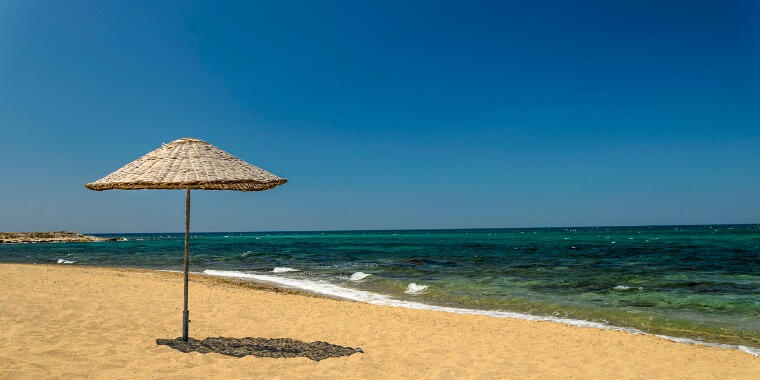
x=336, y=291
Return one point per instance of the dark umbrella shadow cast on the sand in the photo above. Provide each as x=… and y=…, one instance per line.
x=260, y=347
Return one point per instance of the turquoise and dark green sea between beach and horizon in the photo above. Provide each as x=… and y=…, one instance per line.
x=699, y=282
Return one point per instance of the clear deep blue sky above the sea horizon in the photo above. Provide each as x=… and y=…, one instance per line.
x=385, y=114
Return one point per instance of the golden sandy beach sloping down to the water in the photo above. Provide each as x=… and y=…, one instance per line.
x=74, y=322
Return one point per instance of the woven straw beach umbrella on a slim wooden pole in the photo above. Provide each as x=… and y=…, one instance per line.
x=187, y=164
